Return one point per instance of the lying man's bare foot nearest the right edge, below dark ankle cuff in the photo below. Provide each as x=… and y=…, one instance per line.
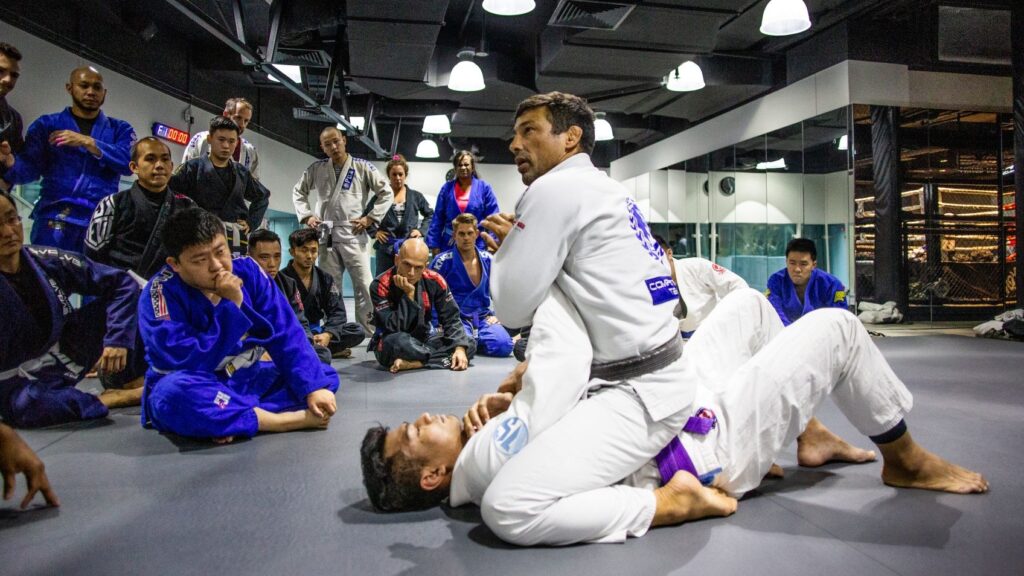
x=910, y=466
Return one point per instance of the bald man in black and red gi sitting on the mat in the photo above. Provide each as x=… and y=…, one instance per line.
x=405, y=299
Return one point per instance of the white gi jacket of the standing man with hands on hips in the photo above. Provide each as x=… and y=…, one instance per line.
x=320, y=193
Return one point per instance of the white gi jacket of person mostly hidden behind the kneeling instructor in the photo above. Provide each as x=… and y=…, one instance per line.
x=703, y=284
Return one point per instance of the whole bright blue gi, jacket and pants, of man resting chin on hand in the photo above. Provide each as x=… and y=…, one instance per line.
x=205, y=376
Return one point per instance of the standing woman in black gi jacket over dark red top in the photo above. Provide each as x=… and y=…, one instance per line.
x=403, y=220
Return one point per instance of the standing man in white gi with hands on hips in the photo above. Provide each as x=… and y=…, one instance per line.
x=342, y=187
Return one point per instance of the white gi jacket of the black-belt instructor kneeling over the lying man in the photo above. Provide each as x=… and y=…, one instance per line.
x=576, y=220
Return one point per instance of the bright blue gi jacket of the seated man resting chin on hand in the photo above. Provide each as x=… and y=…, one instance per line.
x=184, y=331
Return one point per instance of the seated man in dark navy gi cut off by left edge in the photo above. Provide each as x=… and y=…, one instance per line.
x=48, y=345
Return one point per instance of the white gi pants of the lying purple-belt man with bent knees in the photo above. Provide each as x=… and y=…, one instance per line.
x=765, y=384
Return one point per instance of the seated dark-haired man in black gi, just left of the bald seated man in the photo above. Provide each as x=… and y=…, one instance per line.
x=321, y=297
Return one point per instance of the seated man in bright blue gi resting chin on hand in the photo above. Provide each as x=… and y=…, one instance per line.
x=206, y=321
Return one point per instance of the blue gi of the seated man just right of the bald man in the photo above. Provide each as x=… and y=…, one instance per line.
x=475, y=302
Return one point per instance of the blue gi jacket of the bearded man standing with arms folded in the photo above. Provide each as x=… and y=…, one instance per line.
x=74, y=180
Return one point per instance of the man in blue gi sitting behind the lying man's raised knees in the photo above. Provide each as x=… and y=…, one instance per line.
x=801, y=287
